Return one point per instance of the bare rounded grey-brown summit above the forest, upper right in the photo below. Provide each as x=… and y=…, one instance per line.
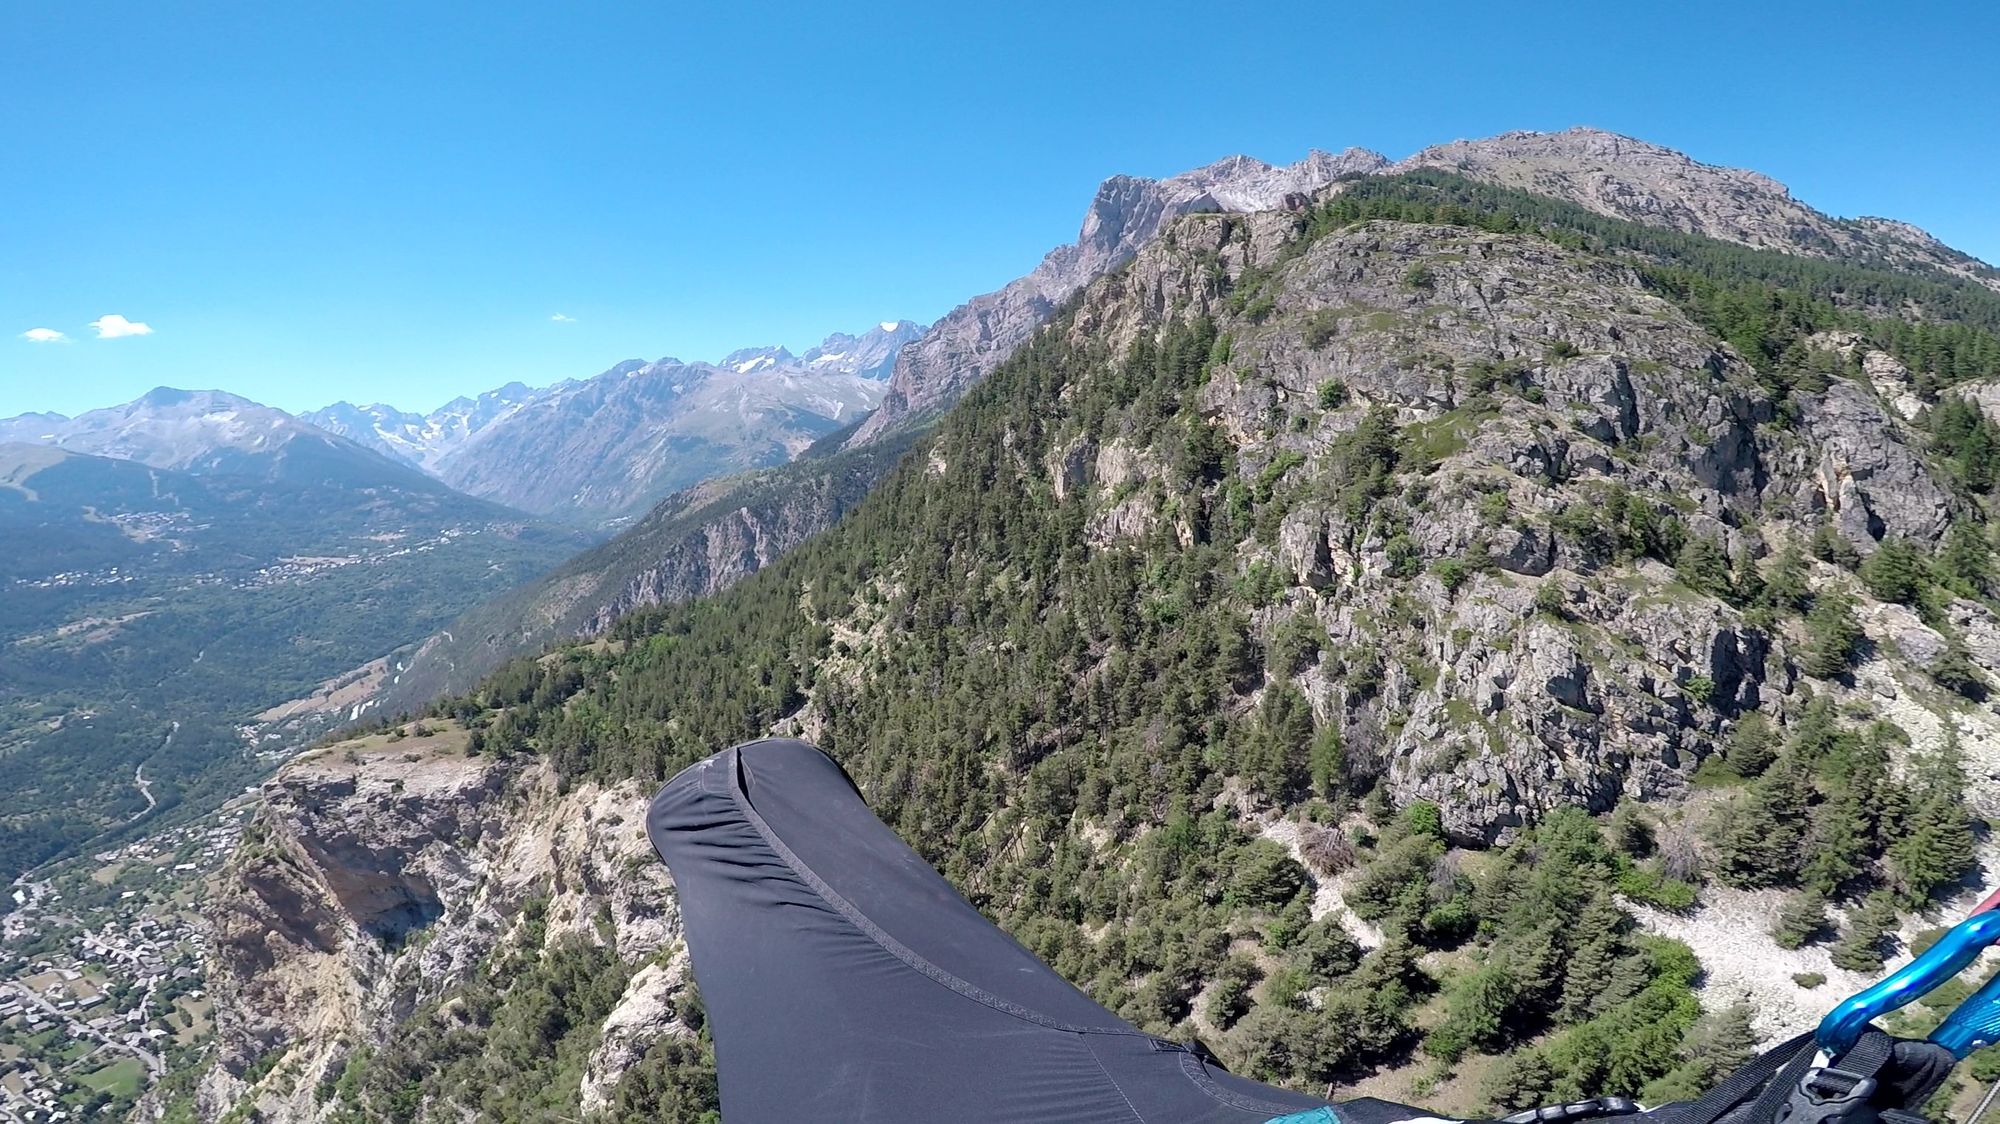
x=1645, y=183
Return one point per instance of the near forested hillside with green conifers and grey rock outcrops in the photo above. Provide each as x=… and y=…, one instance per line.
x=1341, y=631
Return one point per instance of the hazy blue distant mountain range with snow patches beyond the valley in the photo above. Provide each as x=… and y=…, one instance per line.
x=601, y=447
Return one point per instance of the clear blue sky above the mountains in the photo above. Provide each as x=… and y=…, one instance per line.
x=393, y=201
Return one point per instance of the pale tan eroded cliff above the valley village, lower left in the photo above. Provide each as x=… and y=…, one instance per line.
x=381, y=875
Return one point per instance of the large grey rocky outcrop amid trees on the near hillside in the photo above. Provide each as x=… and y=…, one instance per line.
x=1531, y=385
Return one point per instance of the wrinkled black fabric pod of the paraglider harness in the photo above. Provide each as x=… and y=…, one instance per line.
x=847, y=981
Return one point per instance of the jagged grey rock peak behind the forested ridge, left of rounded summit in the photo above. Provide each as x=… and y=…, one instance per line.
x=1127, y=213
